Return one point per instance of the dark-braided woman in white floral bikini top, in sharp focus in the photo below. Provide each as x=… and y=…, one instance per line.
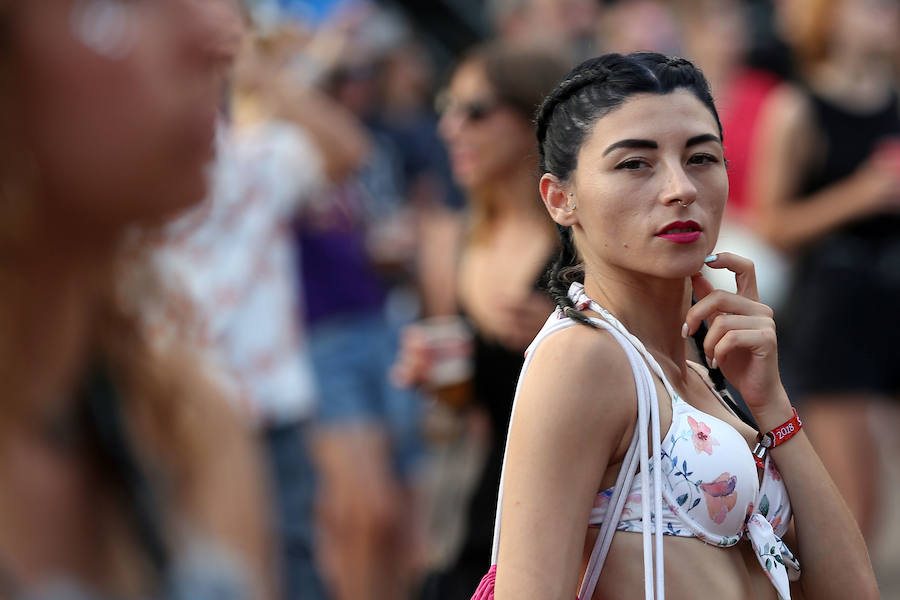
x=635, y=177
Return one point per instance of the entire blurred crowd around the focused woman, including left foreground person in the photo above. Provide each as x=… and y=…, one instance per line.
x=269, y=268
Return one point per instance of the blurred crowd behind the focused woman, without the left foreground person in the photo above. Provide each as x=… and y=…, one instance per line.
x=365, y=271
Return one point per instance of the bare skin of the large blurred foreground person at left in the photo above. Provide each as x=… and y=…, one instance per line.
x=115, y=142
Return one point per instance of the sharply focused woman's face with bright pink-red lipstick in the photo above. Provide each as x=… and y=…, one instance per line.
x=635, y=170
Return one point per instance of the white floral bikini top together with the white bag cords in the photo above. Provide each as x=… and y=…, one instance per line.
x=698, y=480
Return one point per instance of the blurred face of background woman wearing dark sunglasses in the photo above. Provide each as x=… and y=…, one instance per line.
x=487, y=140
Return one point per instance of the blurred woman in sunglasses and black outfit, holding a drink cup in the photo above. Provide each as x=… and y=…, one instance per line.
x=487, y=127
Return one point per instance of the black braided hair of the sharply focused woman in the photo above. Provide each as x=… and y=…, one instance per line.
x=565, y=119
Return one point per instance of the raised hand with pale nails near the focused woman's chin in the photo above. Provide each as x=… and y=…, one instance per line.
x=741, y=340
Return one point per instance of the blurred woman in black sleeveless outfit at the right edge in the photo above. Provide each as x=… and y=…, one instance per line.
x=827, y=181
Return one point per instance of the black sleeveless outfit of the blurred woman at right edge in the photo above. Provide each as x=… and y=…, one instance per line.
x=842, y=318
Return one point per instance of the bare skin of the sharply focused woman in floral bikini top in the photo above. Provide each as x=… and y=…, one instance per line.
x=558, y=459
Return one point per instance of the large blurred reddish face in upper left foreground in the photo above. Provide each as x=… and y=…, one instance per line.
x=118, y=102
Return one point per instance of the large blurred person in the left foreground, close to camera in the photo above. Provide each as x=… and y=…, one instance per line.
x=124, y=473
